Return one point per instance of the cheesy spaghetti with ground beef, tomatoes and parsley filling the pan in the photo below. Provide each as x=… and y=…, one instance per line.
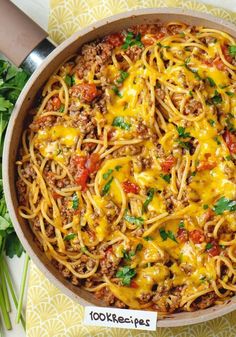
x=126, y=174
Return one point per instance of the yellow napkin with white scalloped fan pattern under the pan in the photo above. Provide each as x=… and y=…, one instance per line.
x=49, y=312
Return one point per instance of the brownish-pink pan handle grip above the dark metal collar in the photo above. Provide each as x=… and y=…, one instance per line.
x=19, y=35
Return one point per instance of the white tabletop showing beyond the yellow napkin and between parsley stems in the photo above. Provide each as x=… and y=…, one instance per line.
x=38, y=10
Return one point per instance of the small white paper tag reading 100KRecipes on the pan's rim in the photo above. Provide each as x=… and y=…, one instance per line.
x=120, y=318
